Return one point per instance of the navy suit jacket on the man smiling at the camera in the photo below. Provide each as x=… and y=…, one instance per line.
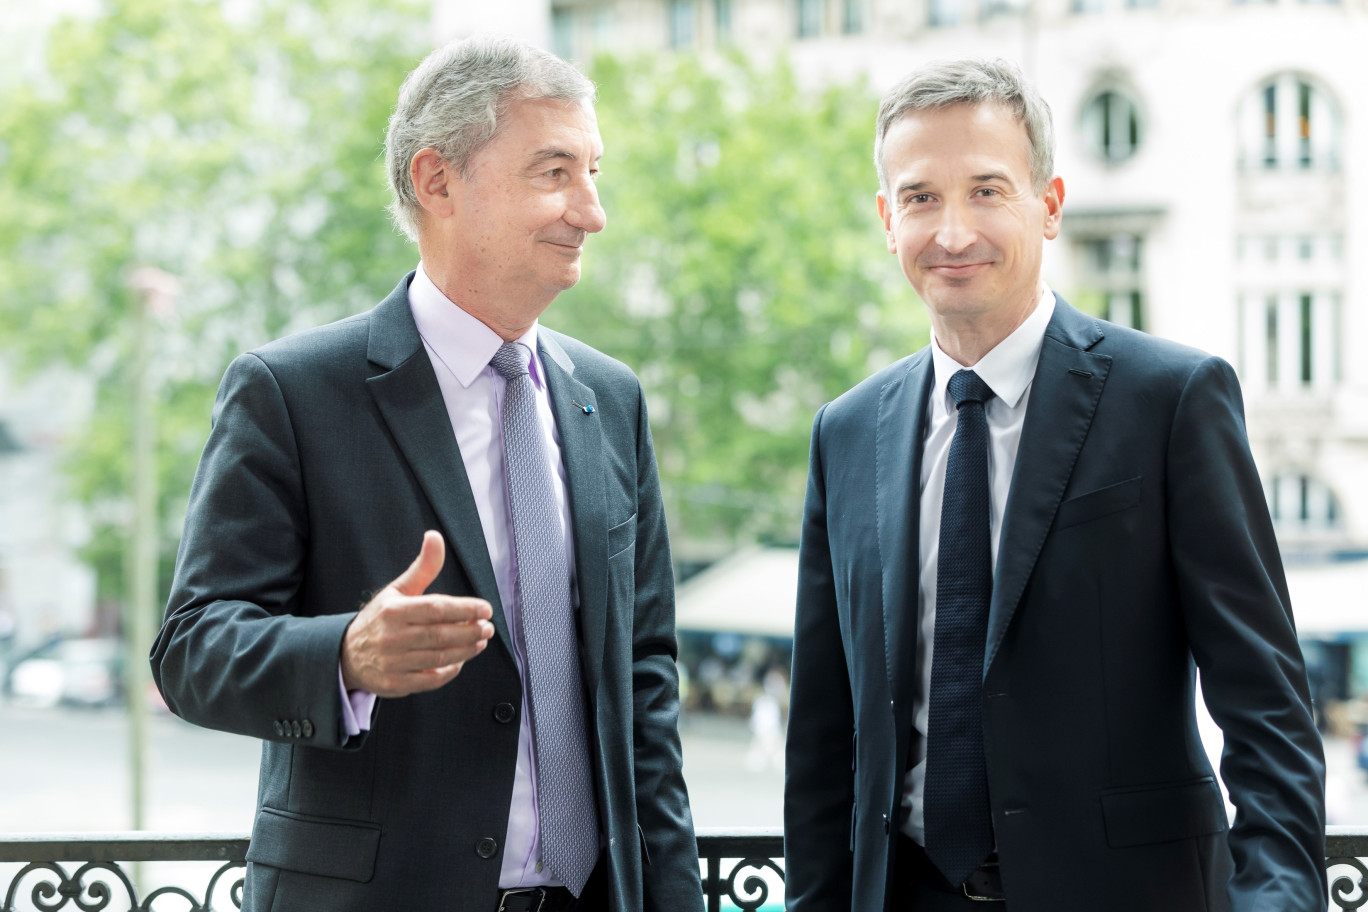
x=1136, y=542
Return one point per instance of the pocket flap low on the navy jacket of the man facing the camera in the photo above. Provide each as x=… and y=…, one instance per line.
x=1163, y=814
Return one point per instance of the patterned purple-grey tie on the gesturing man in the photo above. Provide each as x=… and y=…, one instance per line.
x=564, y=786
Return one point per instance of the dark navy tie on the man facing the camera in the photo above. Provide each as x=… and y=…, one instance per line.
x=958, y=816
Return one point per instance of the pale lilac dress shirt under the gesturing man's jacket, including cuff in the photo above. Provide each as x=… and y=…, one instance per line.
x=460, y=349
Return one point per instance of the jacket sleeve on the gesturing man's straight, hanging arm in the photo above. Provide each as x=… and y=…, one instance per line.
x=671, y=874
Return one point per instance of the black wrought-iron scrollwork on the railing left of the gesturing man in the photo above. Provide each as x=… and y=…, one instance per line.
x=96, y=884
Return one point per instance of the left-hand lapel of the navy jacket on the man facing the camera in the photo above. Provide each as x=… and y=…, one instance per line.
x=898, y=474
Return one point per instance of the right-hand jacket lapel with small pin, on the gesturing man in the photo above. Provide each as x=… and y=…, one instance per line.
x=582, y=449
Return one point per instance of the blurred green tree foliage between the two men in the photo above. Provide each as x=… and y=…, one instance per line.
x=744, y=274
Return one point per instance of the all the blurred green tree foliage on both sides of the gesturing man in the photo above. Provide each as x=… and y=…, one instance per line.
x=237, y=146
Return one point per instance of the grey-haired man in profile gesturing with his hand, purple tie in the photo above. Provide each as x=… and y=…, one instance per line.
x=493, y=728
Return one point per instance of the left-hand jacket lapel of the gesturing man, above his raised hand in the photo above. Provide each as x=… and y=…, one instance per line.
x=411, y=403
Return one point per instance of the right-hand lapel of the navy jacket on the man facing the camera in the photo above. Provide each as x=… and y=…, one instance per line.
x=1064, y=399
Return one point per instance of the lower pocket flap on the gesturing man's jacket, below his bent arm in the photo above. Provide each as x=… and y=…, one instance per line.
x=315, y=846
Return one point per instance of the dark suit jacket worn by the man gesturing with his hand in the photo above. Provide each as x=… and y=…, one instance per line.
x=332, y=453
